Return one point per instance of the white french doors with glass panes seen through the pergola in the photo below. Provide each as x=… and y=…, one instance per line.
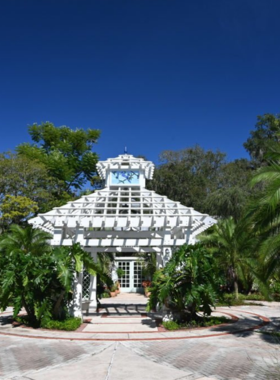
x=132, y=279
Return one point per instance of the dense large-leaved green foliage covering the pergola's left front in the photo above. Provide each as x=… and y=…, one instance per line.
x=37, y=277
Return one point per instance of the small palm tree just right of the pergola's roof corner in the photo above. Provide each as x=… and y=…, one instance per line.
x=233, y=246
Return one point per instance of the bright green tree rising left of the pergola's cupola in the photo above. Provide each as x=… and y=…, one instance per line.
x=67, y=154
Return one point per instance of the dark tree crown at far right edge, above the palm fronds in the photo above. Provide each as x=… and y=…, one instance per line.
x=267, y=130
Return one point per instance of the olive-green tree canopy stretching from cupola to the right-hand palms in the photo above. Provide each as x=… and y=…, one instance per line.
x=204, y=180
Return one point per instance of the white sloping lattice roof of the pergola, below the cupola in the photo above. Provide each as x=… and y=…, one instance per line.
x=123, y=207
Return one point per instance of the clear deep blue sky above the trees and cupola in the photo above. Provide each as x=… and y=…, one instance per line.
x=151, y=74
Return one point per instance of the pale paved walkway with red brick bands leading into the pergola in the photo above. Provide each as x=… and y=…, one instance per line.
x=102, y=350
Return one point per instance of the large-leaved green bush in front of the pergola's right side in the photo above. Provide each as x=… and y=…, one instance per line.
x=187, y=284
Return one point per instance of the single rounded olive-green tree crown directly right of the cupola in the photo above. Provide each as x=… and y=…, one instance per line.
x=188, y=175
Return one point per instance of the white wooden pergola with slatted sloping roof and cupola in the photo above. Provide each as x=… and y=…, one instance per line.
x=124, y=217
